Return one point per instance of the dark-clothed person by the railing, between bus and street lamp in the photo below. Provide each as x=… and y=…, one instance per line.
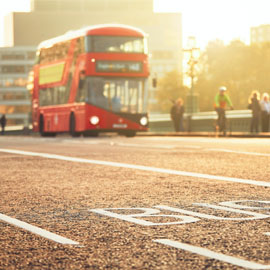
x=177, y=115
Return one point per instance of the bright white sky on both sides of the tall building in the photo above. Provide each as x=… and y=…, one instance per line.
x=206, y=20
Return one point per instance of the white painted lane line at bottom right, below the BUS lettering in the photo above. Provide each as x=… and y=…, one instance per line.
x=213, y=255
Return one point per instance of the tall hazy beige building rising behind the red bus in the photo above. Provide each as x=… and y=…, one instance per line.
x=50, y=18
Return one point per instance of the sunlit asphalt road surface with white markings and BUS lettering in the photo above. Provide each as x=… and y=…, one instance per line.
x=134, y=203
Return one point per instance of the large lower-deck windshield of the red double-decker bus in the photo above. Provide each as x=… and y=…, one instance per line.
x=118, y=95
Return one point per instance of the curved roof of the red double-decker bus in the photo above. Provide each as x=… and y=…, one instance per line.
x=97, y=30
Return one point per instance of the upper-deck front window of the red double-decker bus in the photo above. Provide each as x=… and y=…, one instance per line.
x=116, y=44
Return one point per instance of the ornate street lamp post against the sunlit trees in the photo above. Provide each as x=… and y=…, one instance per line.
x=193, y=55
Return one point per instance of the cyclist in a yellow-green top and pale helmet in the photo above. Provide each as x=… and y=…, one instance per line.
x=221, y=101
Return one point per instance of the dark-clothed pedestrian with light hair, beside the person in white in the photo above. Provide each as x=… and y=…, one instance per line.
x=254, y=106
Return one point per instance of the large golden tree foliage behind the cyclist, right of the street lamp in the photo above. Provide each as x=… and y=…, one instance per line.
x=239, y=67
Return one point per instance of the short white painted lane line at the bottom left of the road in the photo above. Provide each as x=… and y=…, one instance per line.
x=36, y=230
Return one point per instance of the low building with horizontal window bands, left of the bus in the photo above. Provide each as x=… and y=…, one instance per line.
x=15, y=102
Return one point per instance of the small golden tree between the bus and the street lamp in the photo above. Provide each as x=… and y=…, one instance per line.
x=169, y=88
